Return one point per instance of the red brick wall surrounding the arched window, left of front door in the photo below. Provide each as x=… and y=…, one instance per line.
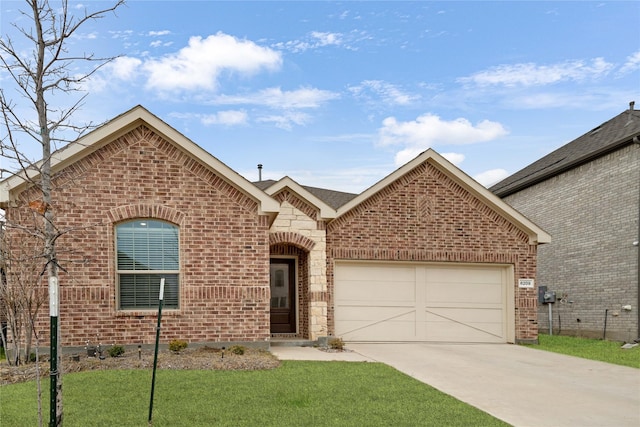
x=224, y=246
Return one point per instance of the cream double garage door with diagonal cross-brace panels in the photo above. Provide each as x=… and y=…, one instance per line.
x=423, y=302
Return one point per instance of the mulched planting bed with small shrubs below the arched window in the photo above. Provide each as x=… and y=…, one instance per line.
x=203, y=358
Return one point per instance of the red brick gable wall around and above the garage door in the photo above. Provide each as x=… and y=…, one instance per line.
x=425, y=216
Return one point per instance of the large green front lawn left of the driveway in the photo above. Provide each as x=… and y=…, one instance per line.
x=295, y=394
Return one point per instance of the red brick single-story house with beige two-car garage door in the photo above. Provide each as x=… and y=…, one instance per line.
x=426, y=254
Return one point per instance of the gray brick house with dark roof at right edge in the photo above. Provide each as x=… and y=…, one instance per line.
x=586, y=195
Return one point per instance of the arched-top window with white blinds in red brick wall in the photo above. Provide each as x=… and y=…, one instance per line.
x=147, y=250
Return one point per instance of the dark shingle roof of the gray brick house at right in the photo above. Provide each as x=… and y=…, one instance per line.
x=609, y=136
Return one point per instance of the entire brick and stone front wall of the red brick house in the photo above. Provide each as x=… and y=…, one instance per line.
x=225, y=244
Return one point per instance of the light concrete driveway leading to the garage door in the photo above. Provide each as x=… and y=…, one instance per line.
x=520, y=385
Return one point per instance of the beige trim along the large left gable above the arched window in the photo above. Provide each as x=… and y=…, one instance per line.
x=123, y=124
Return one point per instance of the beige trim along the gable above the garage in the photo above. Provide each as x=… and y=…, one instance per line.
x=535, y=233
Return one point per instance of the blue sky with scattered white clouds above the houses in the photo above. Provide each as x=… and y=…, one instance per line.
x=340, y=94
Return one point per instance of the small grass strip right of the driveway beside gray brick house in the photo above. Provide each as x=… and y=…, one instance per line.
x=604, y=351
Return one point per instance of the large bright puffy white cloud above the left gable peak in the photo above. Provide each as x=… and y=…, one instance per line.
x=198, y=65
